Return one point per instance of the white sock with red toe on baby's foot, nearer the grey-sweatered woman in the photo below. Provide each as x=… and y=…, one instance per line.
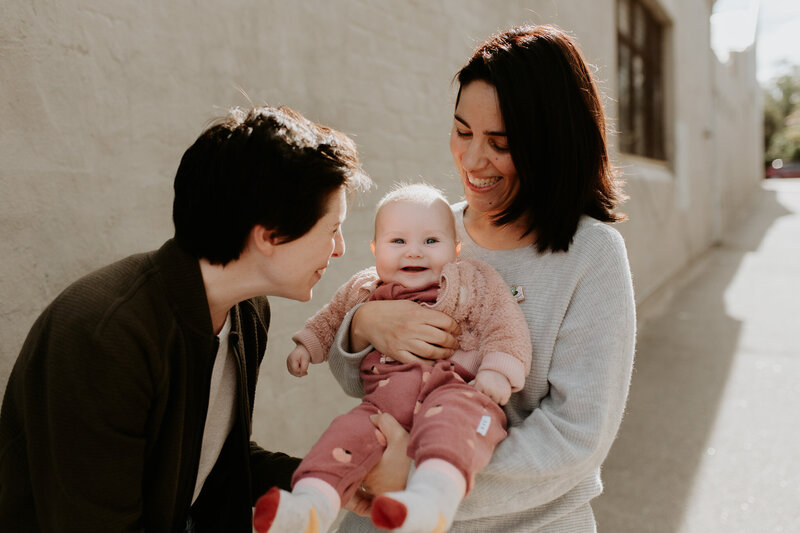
x=428, y=504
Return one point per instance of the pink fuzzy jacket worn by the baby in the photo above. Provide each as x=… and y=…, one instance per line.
x=494, y=333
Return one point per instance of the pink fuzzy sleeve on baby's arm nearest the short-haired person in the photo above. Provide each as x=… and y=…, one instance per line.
x=318, y=334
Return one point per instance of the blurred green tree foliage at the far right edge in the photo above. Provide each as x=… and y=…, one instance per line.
x=782, y=117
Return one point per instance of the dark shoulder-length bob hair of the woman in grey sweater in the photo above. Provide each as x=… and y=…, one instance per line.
x=556, y=129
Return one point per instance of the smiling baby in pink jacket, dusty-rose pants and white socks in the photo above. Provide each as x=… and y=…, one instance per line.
x=451, y=409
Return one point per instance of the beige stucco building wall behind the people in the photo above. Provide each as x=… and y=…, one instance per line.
x=98, y=101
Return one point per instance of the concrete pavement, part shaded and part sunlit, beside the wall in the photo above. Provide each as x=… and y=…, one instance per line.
x=711, y=439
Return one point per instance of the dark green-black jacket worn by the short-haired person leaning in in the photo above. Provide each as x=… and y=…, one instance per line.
x=103, y=415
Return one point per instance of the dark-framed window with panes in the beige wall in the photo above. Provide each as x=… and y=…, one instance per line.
x=640, y=76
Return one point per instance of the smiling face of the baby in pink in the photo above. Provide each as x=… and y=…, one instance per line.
x=413, y=242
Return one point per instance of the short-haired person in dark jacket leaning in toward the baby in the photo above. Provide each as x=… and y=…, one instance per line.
x=130, y=405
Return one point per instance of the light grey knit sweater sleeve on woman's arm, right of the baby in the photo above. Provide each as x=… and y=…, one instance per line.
x=564, y=439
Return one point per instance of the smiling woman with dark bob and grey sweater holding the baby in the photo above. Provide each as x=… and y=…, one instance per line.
x=529, y=143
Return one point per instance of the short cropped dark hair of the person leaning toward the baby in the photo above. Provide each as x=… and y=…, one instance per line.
x=268, y=166
